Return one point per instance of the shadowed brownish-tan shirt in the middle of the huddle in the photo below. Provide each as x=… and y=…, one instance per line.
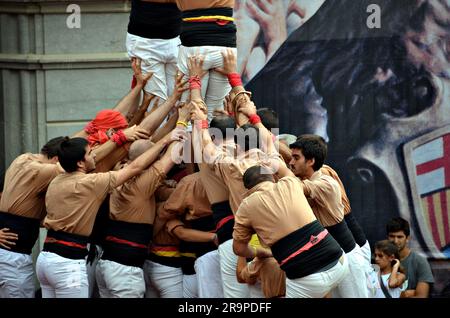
x=189, y=199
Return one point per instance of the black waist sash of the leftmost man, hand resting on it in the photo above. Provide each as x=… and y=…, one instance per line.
x=27, y=230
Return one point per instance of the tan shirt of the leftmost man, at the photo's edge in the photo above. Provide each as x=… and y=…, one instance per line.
x=26, y=182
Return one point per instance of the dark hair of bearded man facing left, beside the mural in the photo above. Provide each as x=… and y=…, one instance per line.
x=312, y=146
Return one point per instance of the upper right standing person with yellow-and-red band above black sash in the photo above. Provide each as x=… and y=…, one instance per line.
x=207, y=28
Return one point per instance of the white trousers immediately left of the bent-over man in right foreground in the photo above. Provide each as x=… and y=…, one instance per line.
x=228, y=263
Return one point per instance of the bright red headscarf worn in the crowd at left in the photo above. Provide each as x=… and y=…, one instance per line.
x=105, y=119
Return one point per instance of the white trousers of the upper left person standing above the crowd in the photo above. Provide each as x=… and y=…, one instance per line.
x=158, y=56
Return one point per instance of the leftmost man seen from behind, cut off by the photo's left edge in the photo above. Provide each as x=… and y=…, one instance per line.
x=22, y=208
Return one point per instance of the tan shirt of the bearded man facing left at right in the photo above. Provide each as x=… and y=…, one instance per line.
x=324, y=197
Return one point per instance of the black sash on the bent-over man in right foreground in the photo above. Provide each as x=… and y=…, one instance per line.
x=322, y=254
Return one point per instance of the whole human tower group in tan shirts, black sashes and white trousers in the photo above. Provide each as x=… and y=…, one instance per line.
x=190, y=199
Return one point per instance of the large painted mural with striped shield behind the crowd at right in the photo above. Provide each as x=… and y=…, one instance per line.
x=373, y=78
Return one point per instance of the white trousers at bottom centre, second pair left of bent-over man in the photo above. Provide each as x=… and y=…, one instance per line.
x=209, y=278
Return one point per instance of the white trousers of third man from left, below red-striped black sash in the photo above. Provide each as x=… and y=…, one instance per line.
x=116, y=280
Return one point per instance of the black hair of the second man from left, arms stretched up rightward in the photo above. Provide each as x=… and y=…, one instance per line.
x=71, y=151
